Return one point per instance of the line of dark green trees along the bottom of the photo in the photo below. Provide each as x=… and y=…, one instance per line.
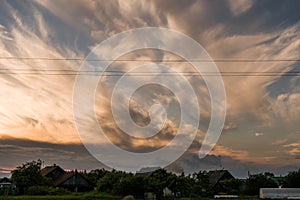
x=28, y=179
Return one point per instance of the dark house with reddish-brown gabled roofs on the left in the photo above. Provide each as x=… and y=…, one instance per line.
x=71, y=180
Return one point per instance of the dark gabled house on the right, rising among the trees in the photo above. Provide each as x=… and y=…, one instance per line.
x=216, y=178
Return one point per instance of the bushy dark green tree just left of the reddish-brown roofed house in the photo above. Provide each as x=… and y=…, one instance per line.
x=28, y=175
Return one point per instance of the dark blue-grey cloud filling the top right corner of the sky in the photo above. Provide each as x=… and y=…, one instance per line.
x=263, y=16
